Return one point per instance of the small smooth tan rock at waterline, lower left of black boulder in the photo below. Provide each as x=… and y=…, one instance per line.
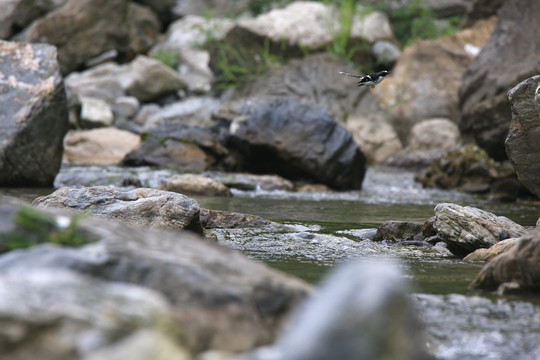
x=194, y=184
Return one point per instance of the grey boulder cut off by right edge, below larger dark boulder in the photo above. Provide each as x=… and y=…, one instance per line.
x=522, y=143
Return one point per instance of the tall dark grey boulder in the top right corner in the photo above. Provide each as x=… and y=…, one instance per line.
x=510, y=56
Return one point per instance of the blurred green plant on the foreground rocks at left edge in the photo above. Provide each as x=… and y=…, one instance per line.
x=33, y=227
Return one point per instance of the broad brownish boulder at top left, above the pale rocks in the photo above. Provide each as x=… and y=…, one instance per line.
x=83, y=29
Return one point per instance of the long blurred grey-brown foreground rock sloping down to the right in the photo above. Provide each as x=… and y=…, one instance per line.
x=220, y=299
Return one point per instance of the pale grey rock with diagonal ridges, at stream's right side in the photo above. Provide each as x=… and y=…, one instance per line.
x=465, y=229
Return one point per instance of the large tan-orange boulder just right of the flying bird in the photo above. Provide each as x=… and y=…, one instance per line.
x=426, y=78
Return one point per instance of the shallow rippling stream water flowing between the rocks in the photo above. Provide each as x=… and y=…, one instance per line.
x=322, y=229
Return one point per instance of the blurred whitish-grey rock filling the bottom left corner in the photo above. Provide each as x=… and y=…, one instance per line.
x=60, y=314
